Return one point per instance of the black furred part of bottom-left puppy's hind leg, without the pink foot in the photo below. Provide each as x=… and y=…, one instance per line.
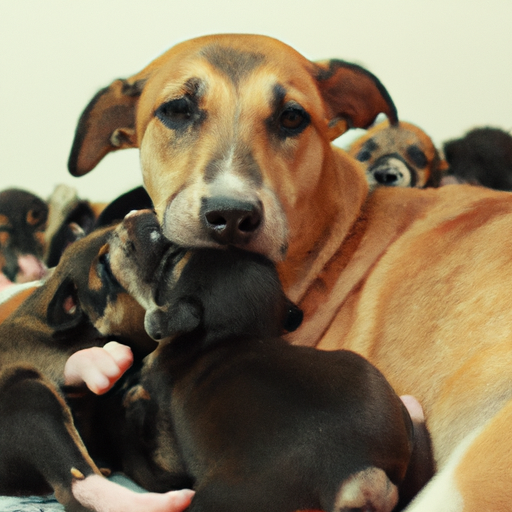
x=40, y=448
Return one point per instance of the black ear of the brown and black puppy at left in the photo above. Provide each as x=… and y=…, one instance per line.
x=64, y=311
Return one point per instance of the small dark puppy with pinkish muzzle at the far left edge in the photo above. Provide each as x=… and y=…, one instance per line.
x=23, y=218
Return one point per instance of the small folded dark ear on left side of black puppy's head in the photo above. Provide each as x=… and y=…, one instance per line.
x=182, y=318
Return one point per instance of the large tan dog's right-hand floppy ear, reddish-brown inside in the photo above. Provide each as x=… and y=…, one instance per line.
x=354, y=96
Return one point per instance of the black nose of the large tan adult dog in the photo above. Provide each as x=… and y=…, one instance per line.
x=230, y=221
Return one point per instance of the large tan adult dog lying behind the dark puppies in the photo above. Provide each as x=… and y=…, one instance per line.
x=235, y=138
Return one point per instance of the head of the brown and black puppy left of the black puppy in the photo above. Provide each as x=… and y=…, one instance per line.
x=82, y=293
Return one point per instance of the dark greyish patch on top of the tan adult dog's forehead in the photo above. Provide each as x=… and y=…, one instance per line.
x=235, y=64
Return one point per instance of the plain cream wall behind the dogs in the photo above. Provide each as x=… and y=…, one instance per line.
x=446, y=63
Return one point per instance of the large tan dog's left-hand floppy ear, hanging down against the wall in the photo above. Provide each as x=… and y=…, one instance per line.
x=106, y=124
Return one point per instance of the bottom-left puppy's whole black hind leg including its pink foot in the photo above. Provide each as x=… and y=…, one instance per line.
x=40, y=450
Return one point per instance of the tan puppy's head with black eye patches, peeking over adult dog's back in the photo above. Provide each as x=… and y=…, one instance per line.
x=399, y=155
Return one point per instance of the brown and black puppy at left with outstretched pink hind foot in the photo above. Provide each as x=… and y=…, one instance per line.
x=79, y=306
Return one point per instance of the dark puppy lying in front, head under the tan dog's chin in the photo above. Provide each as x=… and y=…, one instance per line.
x=253, y=422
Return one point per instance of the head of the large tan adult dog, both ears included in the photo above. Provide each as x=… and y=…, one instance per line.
x=234, y=133
